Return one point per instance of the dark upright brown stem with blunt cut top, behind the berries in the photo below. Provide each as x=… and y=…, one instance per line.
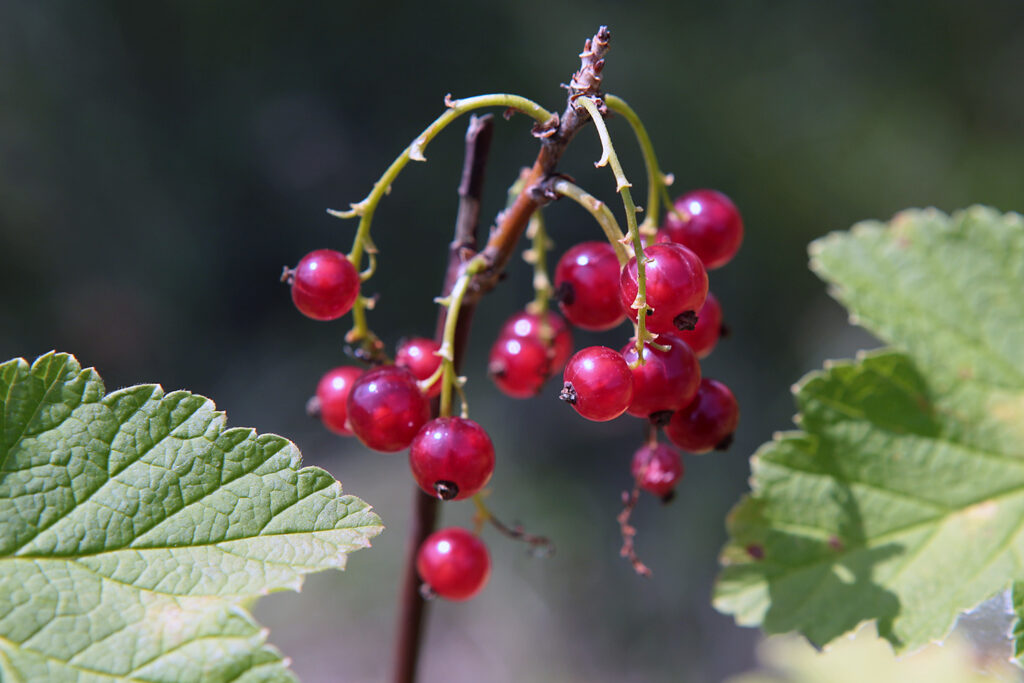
x=413, y=607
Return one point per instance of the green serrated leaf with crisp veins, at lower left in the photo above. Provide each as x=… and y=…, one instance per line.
x=135, y=527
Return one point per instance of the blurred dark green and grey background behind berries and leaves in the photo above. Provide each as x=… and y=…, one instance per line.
x=161, y=162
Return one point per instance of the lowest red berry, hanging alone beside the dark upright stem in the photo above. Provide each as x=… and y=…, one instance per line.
x=454, y=563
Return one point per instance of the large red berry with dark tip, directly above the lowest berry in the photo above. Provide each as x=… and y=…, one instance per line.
x=452, y=458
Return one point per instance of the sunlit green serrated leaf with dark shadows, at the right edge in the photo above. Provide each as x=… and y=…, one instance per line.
x=902, y=499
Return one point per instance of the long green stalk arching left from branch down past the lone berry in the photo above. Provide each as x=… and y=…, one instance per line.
x=365, y=209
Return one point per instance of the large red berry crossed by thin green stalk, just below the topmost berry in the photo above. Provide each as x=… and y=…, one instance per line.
x=677, y=286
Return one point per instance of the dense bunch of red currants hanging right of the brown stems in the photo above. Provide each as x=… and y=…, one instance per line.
x=594, y=293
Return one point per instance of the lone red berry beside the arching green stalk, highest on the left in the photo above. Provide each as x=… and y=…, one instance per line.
x=325, y=285
